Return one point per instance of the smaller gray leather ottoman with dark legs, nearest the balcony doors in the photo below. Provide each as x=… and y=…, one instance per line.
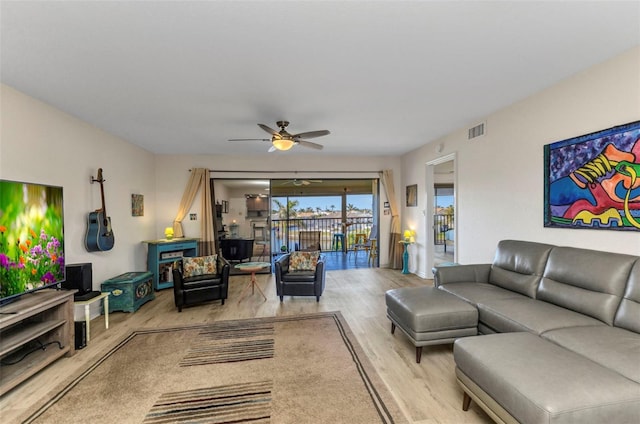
x=430, y=316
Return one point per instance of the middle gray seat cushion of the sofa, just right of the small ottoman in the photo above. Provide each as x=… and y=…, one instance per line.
x=529, y=315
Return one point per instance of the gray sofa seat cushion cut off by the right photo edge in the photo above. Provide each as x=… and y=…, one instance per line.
x=615, y=348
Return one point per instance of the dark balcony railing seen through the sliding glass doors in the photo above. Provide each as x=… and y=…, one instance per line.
x=285, y=232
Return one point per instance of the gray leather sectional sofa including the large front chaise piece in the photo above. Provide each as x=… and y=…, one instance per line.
x=560, y=334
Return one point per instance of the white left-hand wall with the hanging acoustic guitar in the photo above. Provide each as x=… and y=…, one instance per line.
x=41, y=144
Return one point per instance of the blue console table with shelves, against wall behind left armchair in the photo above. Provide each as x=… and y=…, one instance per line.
x=163, y=253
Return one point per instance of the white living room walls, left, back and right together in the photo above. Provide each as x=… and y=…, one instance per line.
x=499, y=176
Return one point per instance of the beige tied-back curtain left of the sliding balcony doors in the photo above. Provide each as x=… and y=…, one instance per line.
x=199, y=179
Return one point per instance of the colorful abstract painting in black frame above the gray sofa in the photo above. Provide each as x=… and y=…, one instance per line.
x=593, y=181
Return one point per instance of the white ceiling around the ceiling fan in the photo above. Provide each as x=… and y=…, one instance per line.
x=385, y=77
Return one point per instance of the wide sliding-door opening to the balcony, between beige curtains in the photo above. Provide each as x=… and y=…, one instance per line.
x=272, y=212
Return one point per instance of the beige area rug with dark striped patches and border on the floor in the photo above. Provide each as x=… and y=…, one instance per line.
x=297, y=369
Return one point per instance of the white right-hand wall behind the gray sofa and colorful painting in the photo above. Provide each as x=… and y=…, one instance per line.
x=500, y=176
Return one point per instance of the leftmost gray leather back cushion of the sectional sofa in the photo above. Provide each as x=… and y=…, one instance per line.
x=518, y=266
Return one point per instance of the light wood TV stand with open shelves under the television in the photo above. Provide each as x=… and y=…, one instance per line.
x=43, y=318
